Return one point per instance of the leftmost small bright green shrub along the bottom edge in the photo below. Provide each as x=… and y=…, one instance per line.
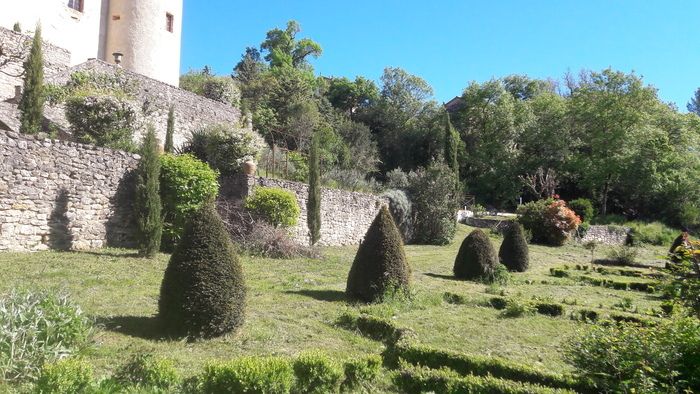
x=67, y=376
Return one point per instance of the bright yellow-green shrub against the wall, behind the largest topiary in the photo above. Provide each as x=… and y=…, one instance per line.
x=185, y=184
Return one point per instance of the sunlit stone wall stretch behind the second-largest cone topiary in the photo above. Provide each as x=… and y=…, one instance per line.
x=345, y=216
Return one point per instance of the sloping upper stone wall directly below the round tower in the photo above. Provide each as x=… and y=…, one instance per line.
x=192, y=112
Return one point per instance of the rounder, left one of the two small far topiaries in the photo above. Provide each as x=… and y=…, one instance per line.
x=476, y=257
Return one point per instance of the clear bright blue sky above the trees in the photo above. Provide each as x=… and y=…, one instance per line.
x=450, y=43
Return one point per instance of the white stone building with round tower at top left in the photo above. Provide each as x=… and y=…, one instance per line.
x=147, y=32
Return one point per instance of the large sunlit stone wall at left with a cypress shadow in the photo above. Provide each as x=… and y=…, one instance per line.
x=63, y=195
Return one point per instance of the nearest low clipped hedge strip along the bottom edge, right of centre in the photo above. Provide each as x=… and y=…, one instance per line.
x=417, y=380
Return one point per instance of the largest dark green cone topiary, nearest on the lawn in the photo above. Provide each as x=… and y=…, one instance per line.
x=203, y=292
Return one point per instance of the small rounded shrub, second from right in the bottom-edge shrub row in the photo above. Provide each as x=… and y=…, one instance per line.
x=317, y=373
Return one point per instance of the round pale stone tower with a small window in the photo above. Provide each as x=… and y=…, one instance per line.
x=147, y=33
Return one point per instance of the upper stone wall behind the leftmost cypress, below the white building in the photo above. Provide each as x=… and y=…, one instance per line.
x=55, y=60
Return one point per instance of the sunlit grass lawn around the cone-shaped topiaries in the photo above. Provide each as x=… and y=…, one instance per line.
x=293, y=304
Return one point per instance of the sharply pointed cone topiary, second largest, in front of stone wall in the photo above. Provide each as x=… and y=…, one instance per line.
x=380, y=263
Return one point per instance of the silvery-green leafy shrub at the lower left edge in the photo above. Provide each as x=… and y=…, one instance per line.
x=38, y=328
